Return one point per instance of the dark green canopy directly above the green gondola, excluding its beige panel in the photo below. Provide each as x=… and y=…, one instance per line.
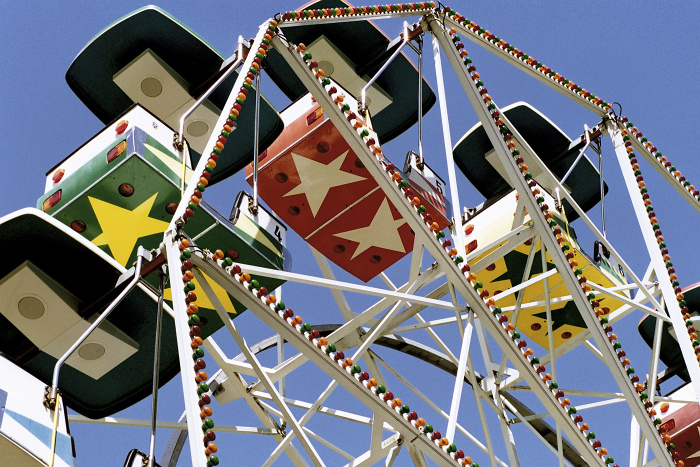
x=91, y=74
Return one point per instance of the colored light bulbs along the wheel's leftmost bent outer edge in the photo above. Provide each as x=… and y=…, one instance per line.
x=195, y=321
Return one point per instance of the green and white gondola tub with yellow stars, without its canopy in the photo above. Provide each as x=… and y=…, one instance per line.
x=124, y=196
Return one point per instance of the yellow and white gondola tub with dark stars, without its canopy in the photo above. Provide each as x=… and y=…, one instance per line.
x=501, y=265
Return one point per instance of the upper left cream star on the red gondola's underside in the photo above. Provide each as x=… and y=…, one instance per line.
x=318, y=178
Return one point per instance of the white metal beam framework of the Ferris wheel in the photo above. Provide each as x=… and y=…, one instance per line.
x=508, y=371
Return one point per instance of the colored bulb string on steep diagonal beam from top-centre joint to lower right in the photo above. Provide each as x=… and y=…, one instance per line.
x=566, y=248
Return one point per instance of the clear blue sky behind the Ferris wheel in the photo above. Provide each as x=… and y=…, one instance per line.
x=642, y=55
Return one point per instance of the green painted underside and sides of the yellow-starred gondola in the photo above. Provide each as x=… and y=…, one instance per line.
x=118, y=224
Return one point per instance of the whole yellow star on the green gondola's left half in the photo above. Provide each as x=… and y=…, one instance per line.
x=121, y=228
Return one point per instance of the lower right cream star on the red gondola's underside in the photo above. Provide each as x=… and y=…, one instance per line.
x=382, y=232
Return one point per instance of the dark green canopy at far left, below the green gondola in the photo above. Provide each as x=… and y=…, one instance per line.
x=81, y=269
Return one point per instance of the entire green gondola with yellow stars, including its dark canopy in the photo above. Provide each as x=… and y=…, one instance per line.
x=120, y=189
